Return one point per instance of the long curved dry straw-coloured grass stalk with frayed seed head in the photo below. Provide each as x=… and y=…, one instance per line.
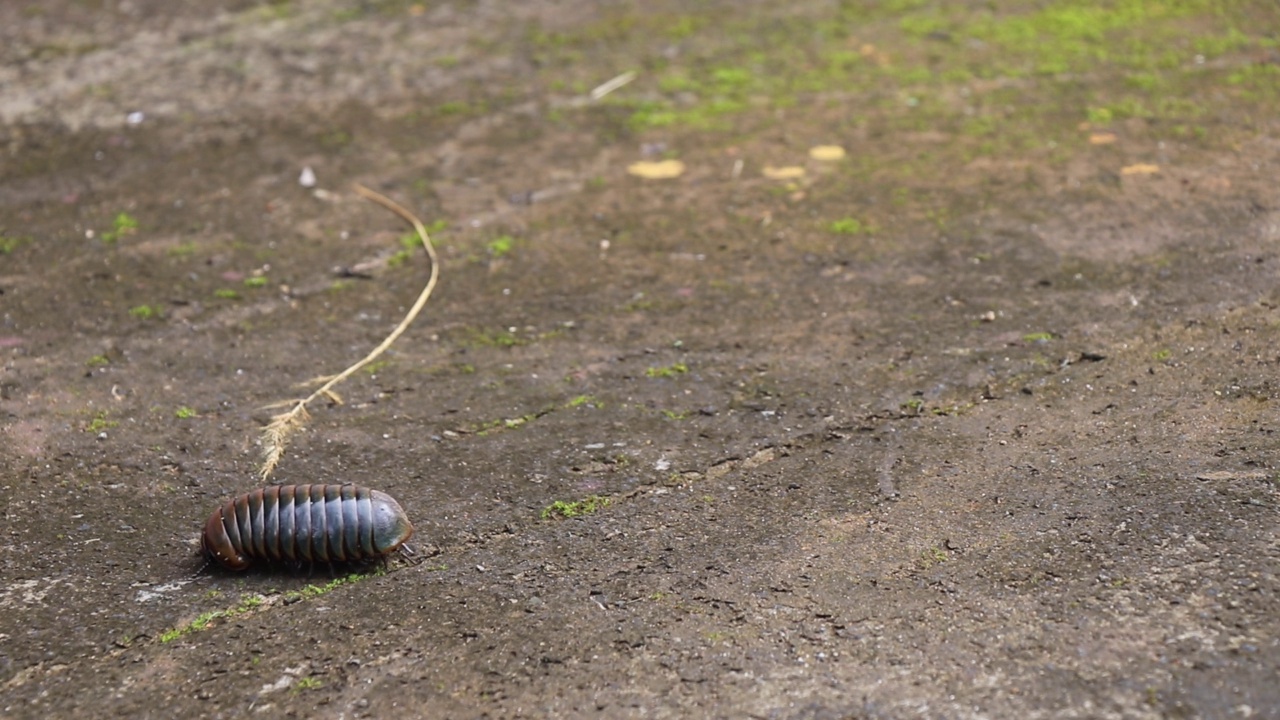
x=278, y=431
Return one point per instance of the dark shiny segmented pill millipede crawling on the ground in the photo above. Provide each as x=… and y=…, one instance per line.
x=307, y=525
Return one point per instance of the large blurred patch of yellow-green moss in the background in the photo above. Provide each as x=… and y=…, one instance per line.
x=925, y=54
